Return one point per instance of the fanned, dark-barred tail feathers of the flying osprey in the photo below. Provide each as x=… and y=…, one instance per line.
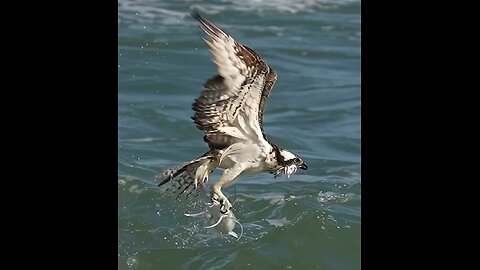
x=190, y=175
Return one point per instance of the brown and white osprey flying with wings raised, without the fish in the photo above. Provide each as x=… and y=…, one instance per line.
x=230, y=113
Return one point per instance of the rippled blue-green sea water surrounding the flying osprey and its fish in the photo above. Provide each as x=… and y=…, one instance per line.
x=311, y=220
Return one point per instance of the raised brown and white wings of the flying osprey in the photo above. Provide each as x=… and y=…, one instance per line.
x=230, y=108
